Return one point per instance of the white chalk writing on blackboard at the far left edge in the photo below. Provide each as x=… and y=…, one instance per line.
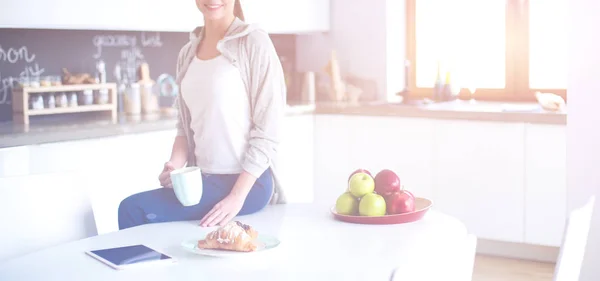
x=30, y=71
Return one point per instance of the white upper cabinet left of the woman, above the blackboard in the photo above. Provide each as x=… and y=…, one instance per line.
x=151, y=15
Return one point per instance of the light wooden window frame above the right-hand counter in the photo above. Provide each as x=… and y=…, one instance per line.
x=517, y=58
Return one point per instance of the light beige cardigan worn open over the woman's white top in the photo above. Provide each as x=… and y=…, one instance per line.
x=251, y=50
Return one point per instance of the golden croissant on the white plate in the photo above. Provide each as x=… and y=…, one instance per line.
x=234, y=236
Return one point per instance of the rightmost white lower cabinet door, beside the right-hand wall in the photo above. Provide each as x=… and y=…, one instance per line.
x=545, y=184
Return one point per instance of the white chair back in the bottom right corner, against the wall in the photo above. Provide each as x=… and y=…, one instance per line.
x=572, y=250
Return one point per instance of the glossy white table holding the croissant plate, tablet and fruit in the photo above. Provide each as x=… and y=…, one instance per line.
x=313, y=245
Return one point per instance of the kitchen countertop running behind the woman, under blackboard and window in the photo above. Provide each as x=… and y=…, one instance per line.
x=49, y=130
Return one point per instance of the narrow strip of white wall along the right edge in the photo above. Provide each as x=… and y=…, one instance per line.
x=583, y=123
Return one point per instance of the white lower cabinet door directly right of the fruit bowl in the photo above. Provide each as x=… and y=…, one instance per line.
x=479, y=177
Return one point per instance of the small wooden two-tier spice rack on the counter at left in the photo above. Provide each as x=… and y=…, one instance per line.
x=22, y=112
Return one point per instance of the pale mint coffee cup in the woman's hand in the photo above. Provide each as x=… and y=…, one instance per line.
x=187, y=184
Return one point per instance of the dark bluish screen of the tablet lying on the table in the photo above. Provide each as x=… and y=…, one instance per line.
x=130, y=255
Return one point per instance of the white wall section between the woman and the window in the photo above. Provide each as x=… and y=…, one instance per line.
x=368, y=37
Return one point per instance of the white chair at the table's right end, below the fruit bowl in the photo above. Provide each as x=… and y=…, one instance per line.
x=457, y=265
